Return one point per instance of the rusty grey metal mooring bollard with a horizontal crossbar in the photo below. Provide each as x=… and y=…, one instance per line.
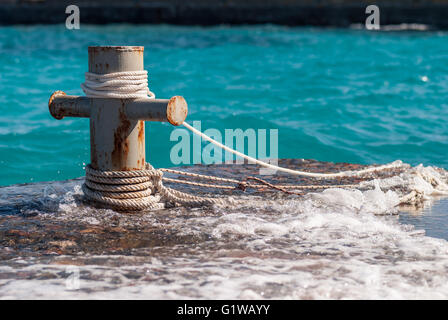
x=117, y=131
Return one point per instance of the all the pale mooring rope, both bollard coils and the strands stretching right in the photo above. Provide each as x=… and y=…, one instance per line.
x=143, y=189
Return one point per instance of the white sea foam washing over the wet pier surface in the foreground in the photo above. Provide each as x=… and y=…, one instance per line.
x=337, y=244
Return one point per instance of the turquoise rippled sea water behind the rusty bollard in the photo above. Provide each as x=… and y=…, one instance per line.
x=333, y=94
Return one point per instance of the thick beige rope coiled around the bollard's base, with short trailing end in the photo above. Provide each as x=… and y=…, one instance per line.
x=138, y=190
